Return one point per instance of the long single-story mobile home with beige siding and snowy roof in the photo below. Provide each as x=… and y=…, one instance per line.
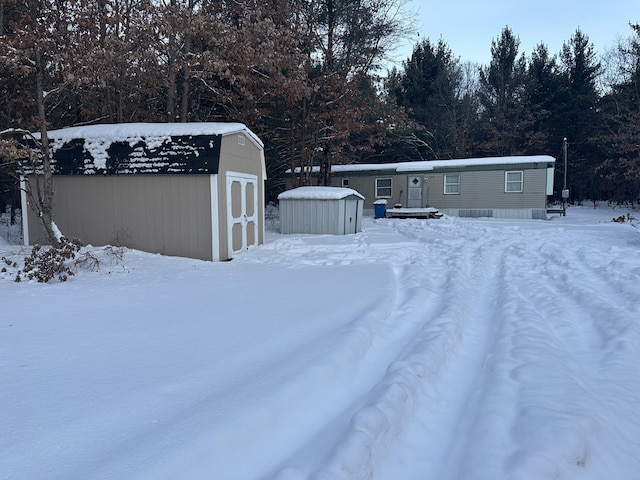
x=501, y=187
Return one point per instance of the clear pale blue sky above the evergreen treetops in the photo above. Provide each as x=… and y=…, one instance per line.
x=469, y=26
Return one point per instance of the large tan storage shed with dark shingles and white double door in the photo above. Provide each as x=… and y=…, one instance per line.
x=187, y=189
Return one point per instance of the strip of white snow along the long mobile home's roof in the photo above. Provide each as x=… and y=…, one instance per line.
x=435, y=164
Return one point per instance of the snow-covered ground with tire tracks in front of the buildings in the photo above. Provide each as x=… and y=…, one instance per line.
x=441, y=349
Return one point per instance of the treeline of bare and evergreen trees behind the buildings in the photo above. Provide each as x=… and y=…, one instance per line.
x=307, y=76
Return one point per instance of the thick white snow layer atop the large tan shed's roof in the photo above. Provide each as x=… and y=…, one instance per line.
x=118, y=131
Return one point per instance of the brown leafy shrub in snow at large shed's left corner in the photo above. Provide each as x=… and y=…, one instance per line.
x=46, y=263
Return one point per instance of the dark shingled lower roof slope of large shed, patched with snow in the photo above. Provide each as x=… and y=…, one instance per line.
x=187, y=154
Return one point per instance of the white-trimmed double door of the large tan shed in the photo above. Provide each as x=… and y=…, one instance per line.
x=242, y=212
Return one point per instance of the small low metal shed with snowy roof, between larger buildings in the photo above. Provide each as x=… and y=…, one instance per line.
x=332, y=210
